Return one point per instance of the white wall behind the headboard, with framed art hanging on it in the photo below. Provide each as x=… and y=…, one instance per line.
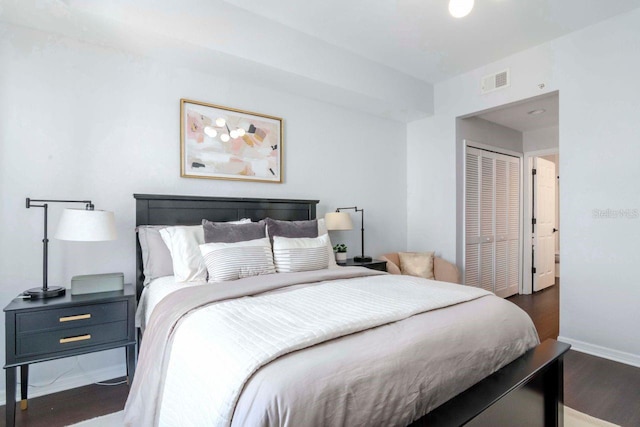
x=81, y=121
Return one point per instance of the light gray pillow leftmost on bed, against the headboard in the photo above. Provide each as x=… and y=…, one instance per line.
x=156, y=258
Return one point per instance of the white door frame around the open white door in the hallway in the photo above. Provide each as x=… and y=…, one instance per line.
x=527, y=214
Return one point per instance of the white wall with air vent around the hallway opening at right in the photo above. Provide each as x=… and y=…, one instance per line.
x=598, y=150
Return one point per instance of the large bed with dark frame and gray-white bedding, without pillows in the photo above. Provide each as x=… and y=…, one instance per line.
x=461, y=371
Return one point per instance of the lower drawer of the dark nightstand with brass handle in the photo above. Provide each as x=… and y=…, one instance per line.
x=50, y=342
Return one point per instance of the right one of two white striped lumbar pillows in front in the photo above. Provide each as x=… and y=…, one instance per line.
x=300, y=254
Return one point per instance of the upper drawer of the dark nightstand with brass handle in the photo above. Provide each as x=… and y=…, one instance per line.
x=65, y=318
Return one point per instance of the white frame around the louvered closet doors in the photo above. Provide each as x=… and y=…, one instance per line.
x=480, y=146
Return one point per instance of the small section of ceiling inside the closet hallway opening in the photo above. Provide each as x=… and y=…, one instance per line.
x=516, y=116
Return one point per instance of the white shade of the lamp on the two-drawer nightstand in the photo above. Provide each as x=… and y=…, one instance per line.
x=86, y=225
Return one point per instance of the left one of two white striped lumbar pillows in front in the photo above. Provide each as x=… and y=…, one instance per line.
x=231, y=261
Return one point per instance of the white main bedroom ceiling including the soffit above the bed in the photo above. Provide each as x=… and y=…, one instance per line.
x=381, y=57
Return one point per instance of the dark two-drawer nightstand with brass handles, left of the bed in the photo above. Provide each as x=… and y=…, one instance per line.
x=47, y=329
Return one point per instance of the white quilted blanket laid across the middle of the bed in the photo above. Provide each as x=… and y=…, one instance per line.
x=245, y=334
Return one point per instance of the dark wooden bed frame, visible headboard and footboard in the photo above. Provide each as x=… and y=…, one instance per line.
x=529, y=391
